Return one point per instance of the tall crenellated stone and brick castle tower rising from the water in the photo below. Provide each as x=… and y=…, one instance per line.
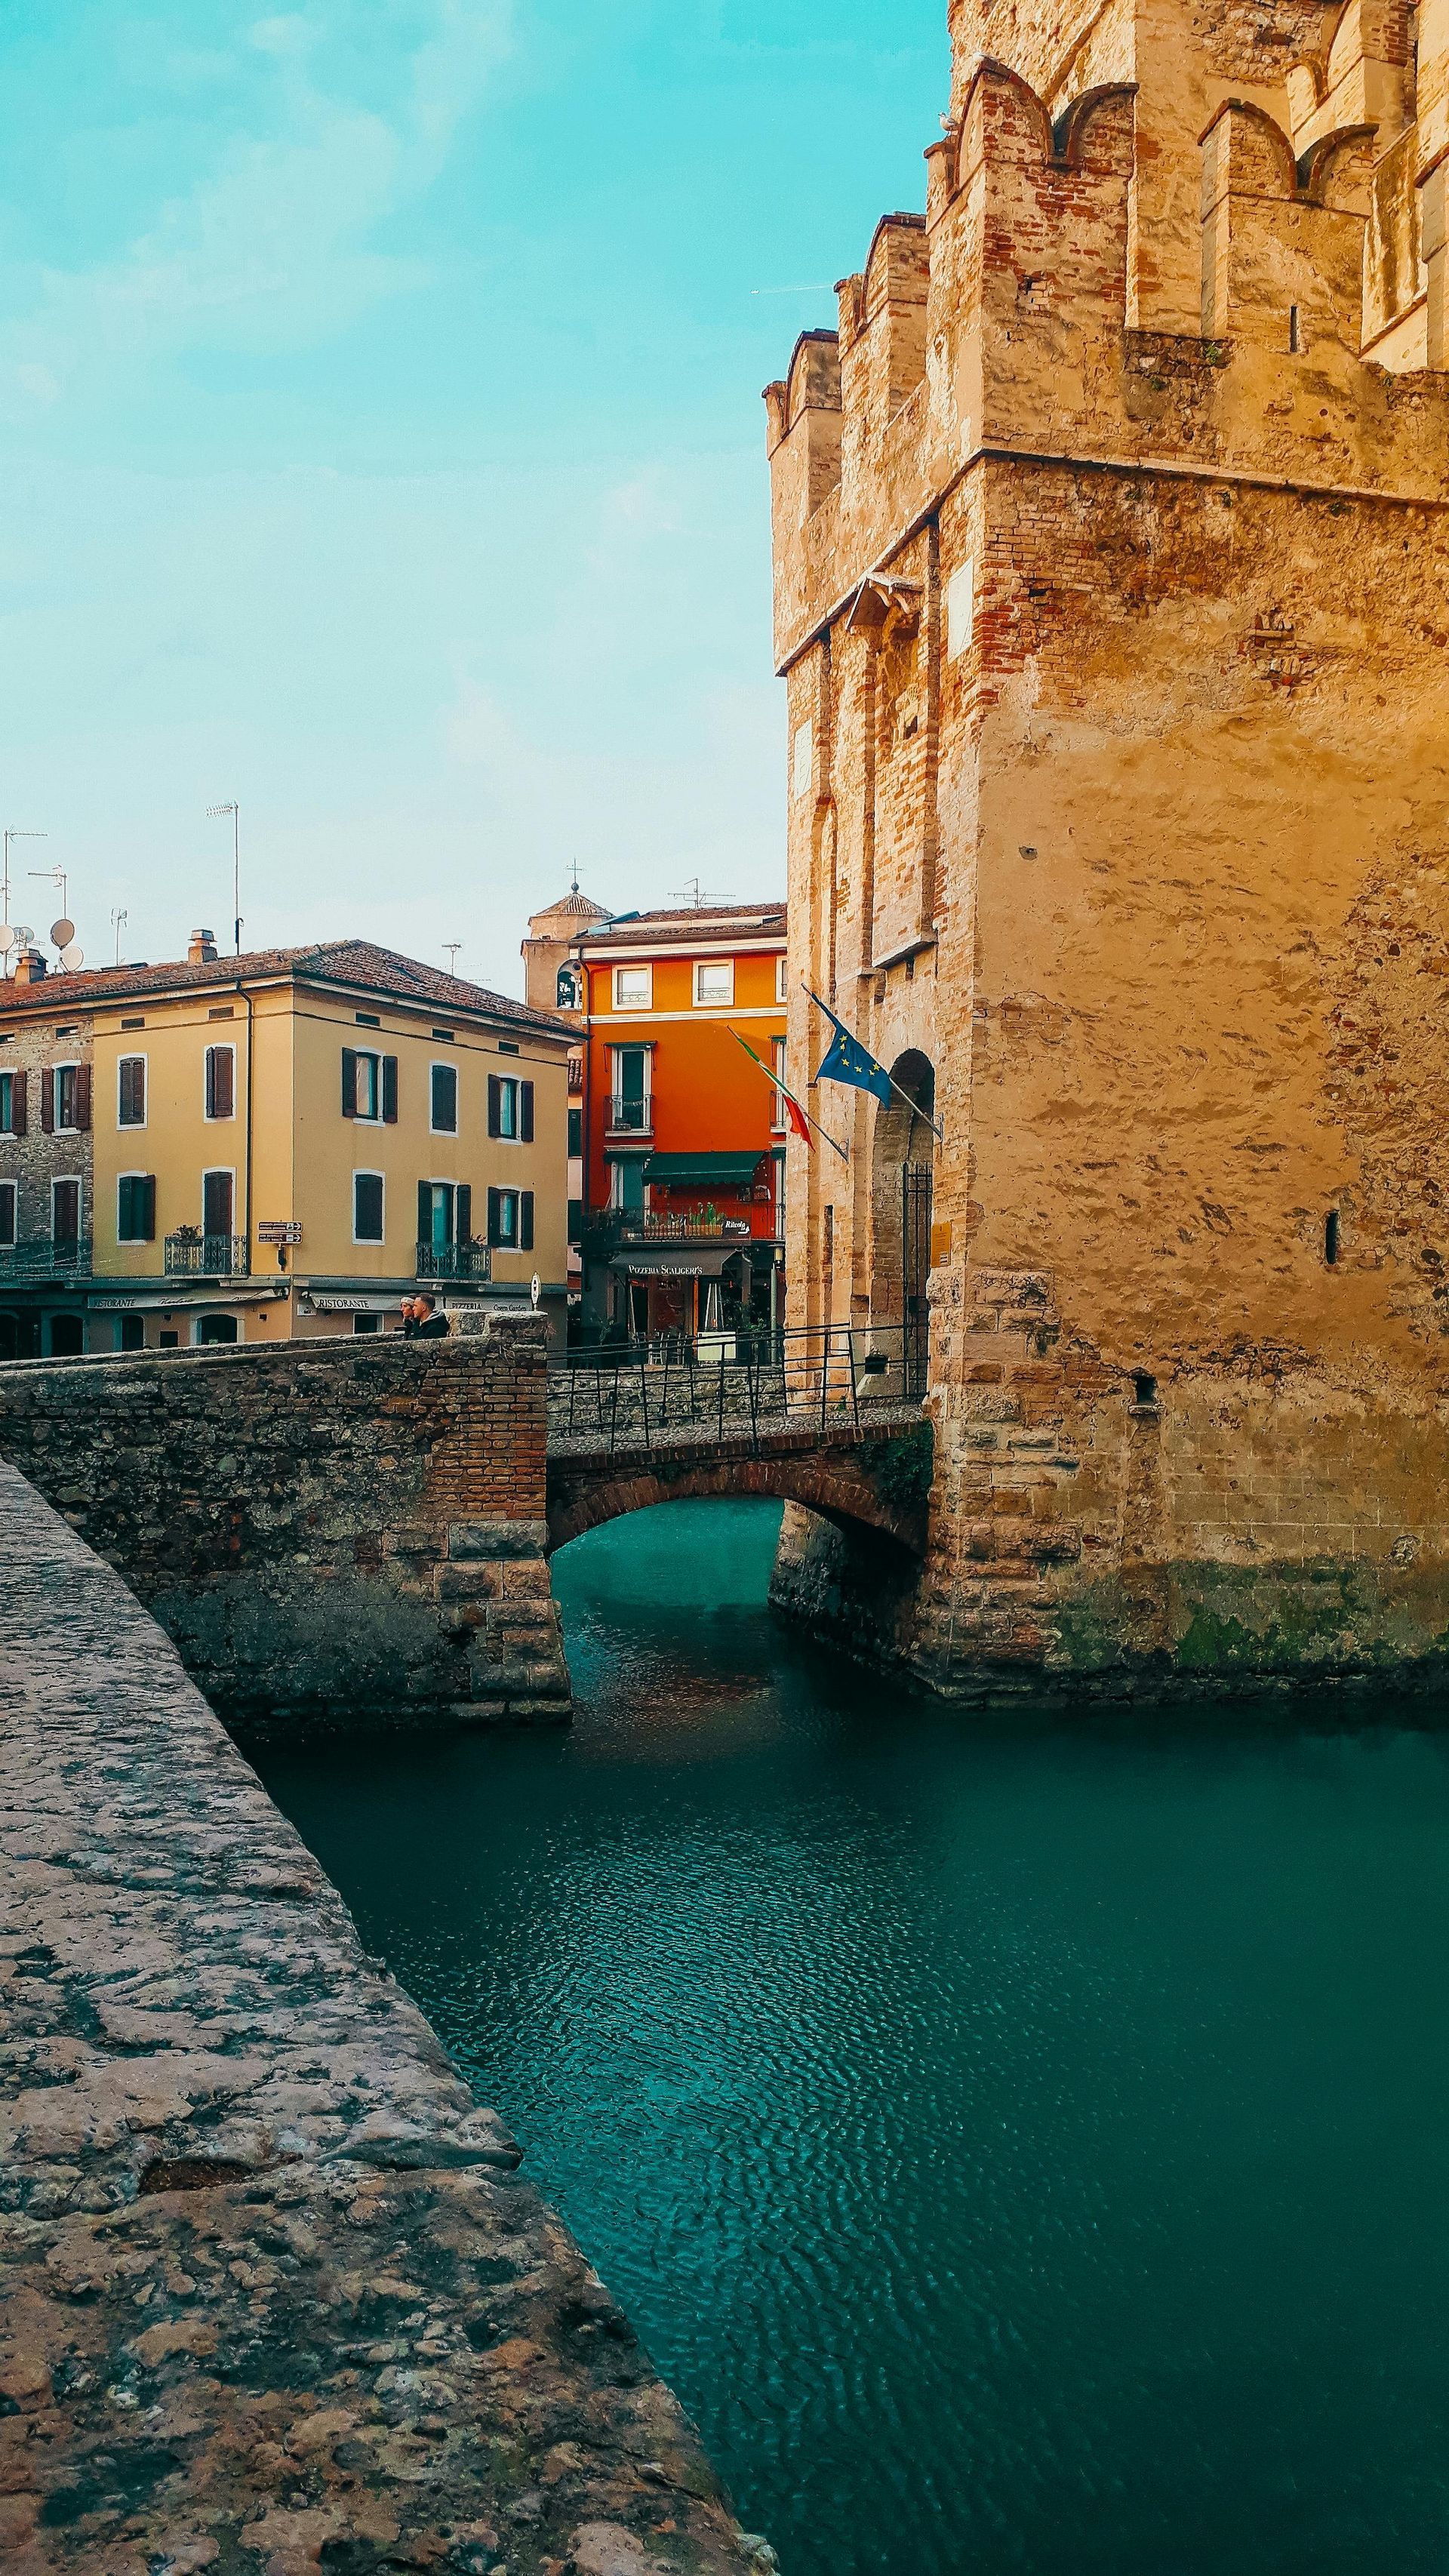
x=1113, y=604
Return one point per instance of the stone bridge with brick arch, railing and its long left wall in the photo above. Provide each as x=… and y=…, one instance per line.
x=359, y=1531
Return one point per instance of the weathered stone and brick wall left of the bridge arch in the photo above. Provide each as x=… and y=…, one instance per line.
x=328, y=1531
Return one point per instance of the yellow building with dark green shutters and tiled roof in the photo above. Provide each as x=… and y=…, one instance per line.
x=297, y=1140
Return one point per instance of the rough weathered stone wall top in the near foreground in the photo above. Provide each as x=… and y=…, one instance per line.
x=272, y=2291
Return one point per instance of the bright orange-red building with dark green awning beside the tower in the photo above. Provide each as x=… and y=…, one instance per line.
x=678, y=1140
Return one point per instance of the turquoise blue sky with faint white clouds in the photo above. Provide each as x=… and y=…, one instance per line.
x=382, y=444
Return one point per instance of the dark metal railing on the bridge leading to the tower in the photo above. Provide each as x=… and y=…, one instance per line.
x=735, y=1382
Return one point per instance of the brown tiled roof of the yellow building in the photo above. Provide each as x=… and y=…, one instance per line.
x=356, y=965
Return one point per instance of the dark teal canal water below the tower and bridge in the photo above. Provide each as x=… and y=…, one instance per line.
x=1023, y=2145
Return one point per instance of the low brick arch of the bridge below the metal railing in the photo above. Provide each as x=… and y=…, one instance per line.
x=827, y=1482
